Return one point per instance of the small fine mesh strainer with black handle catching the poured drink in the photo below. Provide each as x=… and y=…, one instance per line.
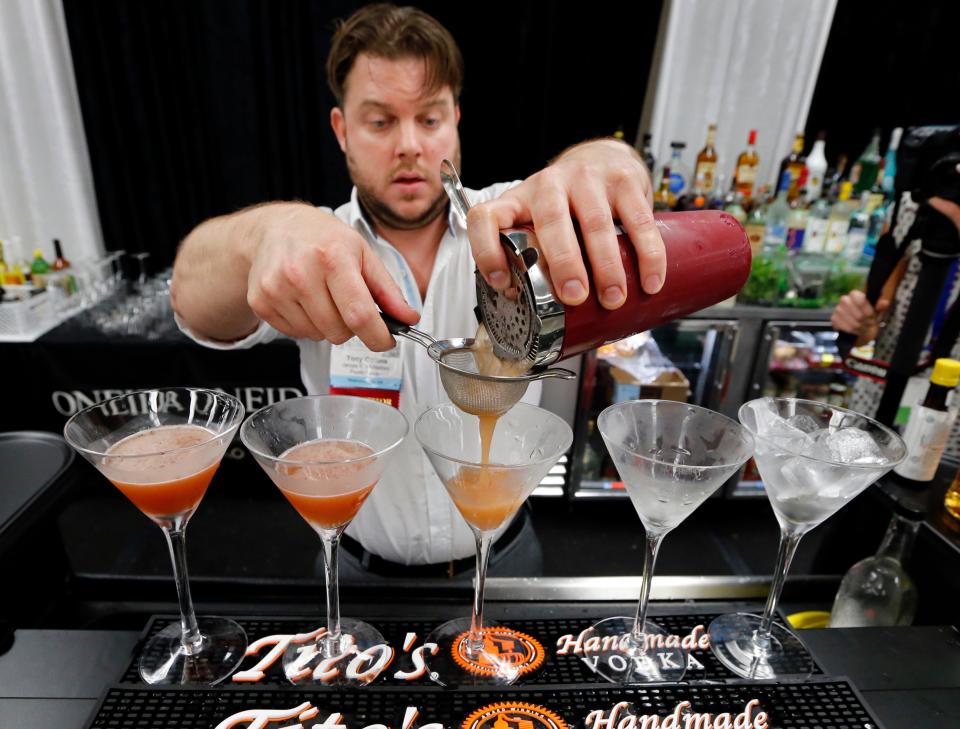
x=469, y=390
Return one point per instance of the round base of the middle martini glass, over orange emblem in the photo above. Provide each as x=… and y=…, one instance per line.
x=500, y=659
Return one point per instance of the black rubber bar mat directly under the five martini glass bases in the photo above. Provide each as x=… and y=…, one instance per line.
x=555, y=670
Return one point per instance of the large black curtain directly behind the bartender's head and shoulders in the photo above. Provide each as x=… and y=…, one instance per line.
x=197, y=108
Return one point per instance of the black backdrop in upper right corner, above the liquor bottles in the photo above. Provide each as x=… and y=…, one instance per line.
x=888, y=63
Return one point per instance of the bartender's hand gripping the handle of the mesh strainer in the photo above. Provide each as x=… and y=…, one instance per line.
x=314, y=277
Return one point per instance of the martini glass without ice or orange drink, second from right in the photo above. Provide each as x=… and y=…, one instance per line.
x=670, y=456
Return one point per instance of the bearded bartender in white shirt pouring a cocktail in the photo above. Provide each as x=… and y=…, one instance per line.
x=319, y=275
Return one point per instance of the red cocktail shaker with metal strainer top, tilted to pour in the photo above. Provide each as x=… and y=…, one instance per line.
x=708, y=260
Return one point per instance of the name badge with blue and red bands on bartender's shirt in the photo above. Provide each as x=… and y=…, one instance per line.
x=355, y=370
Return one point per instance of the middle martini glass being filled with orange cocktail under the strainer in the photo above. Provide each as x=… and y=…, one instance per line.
x=525, y=445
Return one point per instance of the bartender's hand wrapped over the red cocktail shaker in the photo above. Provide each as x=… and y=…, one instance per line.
x=595, y=182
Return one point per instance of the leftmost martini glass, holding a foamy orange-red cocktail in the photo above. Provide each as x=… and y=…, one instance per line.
x=161, y=448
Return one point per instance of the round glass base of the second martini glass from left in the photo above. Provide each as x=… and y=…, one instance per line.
x=323, y=663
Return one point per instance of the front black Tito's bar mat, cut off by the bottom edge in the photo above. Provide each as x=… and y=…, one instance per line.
x=814, y=704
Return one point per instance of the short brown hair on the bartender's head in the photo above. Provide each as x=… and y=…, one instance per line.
x=393, y=32
